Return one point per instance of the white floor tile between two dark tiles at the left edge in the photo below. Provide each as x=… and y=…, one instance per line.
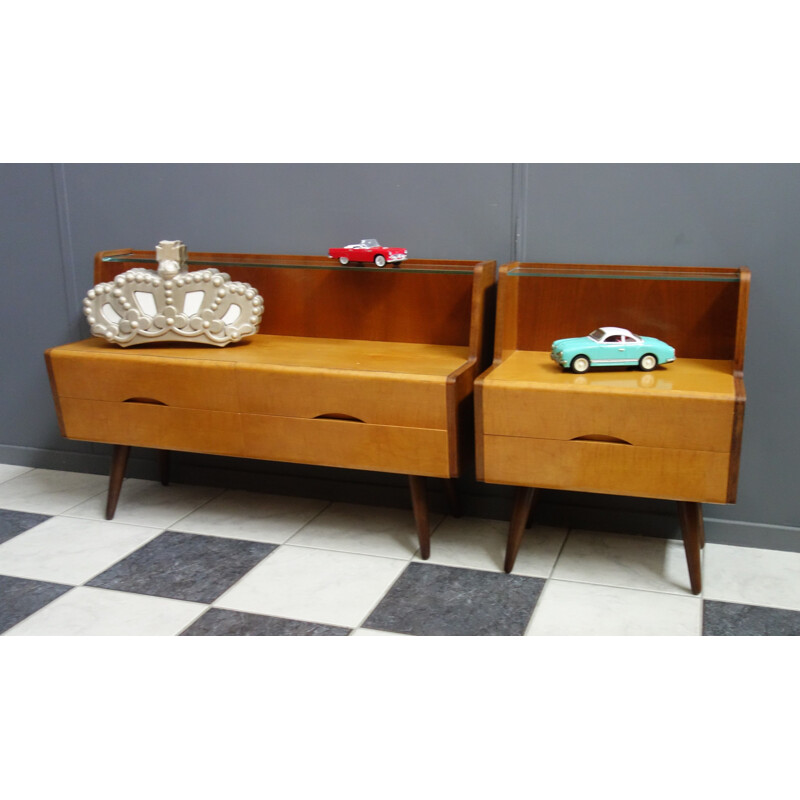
x=66, y=550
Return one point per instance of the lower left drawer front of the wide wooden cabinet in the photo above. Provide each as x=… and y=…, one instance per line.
x=149, y=425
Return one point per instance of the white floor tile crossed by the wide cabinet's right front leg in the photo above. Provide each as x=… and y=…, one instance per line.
x=352, y=528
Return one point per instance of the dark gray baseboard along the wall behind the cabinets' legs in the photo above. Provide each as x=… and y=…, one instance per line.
x=488, y=501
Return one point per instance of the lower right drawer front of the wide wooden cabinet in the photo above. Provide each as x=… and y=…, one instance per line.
x=353, y=445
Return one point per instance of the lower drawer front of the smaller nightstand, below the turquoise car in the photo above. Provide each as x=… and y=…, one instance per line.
x=607, y=468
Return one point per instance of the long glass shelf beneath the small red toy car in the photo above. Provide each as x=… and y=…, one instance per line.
x=319, y=262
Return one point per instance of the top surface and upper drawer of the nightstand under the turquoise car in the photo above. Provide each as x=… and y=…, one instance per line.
x=689, y=405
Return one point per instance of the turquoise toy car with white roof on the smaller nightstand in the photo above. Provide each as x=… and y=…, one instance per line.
x=611, y=347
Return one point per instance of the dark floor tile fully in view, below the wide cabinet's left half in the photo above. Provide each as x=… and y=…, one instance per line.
x=184, y=566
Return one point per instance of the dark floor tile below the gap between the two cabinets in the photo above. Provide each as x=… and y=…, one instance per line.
x=432, y=600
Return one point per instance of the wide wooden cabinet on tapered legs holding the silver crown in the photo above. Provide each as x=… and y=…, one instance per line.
x=355, y=367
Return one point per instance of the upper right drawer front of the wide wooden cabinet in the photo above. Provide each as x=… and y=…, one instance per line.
x=371, y=397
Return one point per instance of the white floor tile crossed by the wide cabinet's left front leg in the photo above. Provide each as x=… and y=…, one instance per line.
x=148, y=503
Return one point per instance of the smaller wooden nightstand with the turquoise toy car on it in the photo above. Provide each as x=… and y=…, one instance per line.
x=673, y=433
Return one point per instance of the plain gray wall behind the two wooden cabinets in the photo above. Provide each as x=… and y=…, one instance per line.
x=54, y=218
